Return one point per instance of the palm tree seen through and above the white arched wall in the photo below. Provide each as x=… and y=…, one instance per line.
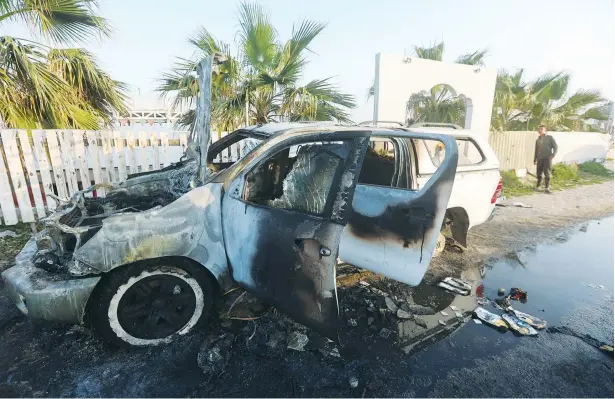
x=439, y=104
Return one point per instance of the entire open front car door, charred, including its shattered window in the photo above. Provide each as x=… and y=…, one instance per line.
x=283, y=216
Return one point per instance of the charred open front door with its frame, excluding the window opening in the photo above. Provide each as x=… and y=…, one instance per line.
x=288, y=258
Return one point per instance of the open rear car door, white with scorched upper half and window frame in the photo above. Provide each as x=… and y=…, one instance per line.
x=393, y=230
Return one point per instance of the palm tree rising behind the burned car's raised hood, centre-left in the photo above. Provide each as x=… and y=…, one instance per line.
x=260, y=84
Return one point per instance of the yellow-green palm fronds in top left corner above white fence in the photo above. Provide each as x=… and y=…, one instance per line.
x=43, y=87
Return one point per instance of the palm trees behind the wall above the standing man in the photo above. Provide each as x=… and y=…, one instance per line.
x=523, y=105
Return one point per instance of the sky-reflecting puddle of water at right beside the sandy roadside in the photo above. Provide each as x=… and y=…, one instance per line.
x=557, y=276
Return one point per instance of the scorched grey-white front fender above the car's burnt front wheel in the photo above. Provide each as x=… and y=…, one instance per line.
x=189, y=227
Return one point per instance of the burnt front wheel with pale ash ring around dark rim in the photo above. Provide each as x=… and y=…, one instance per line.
x=140, y=305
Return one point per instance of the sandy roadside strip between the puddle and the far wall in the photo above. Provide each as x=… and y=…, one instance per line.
x=514, y=228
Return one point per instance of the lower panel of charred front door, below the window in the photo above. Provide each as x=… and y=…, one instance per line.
x=275, y=254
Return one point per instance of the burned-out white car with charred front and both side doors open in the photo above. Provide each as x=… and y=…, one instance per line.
x=144, y=263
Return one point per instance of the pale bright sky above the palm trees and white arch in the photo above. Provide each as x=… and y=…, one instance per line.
x=538, y=35
